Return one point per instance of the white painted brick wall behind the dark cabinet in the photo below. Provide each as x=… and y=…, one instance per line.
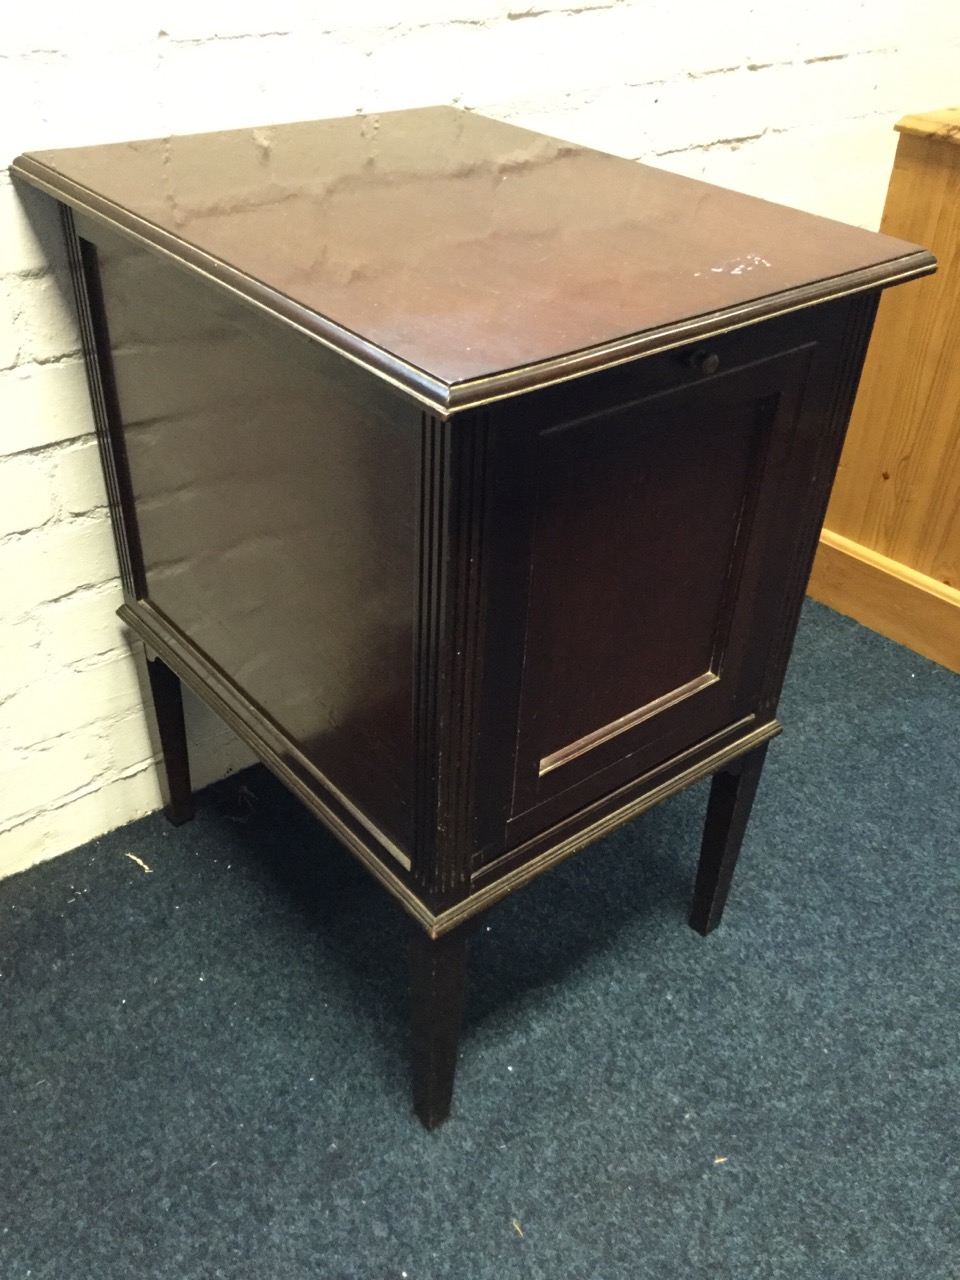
x=793, y=103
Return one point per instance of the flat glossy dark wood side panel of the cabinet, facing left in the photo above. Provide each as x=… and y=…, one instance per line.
x=277, y=500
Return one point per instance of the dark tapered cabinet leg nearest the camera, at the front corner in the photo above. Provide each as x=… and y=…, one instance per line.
x=438, y=986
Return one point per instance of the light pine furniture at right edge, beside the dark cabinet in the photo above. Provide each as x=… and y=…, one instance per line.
x=895, y=510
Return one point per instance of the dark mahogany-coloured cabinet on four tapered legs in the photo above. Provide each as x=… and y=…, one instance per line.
x=474, y=478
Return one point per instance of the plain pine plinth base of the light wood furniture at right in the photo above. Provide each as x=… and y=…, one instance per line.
x=885, y=596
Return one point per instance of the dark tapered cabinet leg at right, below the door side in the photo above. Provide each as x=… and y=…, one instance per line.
x=728, y=813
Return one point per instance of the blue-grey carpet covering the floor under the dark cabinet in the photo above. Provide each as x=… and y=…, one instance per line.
x=204, y=1067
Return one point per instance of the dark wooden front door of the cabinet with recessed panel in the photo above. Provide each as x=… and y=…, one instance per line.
x=641, y=583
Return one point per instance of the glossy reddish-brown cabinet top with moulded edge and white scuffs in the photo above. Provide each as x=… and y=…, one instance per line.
x=463, y=258
